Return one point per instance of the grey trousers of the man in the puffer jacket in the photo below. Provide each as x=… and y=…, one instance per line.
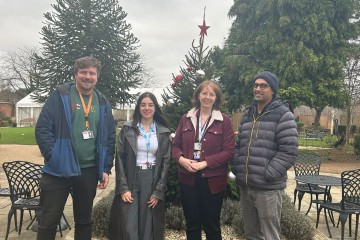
x=262, y=213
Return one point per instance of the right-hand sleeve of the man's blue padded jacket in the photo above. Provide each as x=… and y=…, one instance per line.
x=111, y=139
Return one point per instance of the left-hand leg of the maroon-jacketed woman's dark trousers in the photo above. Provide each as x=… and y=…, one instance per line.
x=190, y=200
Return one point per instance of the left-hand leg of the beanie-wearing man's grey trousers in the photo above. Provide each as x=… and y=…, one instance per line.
x=252, y=228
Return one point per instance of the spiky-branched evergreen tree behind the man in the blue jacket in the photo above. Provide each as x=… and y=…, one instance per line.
x=78, y=28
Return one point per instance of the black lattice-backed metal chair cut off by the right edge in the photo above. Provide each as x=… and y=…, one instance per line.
x=349, y=204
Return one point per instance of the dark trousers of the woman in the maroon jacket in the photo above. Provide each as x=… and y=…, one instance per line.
x=201, y=209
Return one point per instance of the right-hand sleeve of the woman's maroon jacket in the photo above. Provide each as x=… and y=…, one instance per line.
x=228, y=147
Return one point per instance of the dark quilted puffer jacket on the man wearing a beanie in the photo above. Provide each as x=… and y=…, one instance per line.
x=266, y=148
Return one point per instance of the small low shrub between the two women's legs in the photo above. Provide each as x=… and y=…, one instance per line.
x=174, y=218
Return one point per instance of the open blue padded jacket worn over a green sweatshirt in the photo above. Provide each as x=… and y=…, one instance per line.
x=53, y=135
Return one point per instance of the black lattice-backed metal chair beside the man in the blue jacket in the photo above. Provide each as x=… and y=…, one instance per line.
x=22, y=175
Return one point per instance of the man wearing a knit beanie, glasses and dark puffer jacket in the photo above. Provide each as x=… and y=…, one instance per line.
x=266, y=148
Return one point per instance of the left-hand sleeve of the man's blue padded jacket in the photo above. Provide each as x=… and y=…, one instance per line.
x=45, y=126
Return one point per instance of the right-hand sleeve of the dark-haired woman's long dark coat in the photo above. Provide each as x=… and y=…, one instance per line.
x=161, y=186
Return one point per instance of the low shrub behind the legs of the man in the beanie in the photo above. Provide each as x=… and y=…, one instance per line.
x=294, y=225
